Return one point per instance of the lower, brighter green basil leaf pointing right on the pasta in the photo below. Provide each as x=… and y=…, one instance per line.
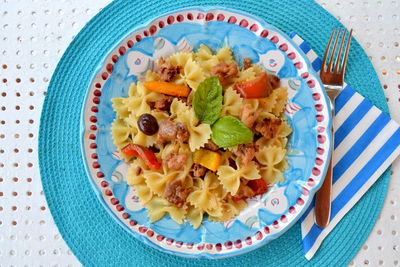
x=229, y=131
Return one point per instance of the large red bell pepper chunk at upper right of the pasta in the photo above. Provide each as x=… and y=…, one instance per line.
x=259, y=87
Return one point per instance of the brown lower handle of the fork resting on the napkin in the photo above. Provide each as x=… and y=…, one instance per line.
x=323, y=200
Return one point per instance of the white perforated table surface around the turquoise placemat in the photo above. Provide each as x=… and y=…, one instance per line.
x=34, y=35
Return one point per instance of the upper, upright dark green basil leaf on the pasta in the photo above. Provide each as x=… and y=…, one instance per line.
x=207, y=101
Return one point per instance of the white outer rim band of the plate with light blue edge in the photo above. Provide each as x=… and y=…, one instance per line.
x=204, y=250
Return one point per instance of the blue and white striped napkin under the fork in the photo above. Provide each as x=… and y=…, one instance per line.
x=367, y=141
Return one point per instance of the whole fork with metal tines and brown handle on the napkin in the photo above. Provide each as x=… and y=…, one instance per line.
x=332, y=76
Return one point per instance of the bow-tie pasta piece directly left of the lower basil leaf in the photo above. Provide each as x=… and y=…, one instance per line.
x=199, y=133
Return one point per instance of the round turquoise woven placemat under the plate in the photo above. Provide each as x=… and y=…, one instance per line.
x=91, y=233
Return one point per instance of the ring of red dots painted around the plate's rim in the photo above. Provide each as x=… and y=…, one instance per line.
x=151, y=31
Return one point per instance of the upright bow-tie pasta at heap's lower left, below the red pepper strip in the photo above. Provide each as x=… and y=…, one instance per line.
x=136, y=179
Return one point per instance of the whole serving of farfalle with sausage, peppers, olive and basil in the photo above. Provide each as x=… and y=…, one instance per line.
x=202, y=134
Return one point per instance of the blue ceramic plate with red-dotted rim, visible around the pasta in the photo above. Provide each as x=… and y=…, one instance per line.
x=267, y=216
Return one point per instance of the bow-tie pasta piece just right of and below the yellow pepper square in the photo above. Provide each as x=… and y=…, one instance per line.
x=230, y=178
